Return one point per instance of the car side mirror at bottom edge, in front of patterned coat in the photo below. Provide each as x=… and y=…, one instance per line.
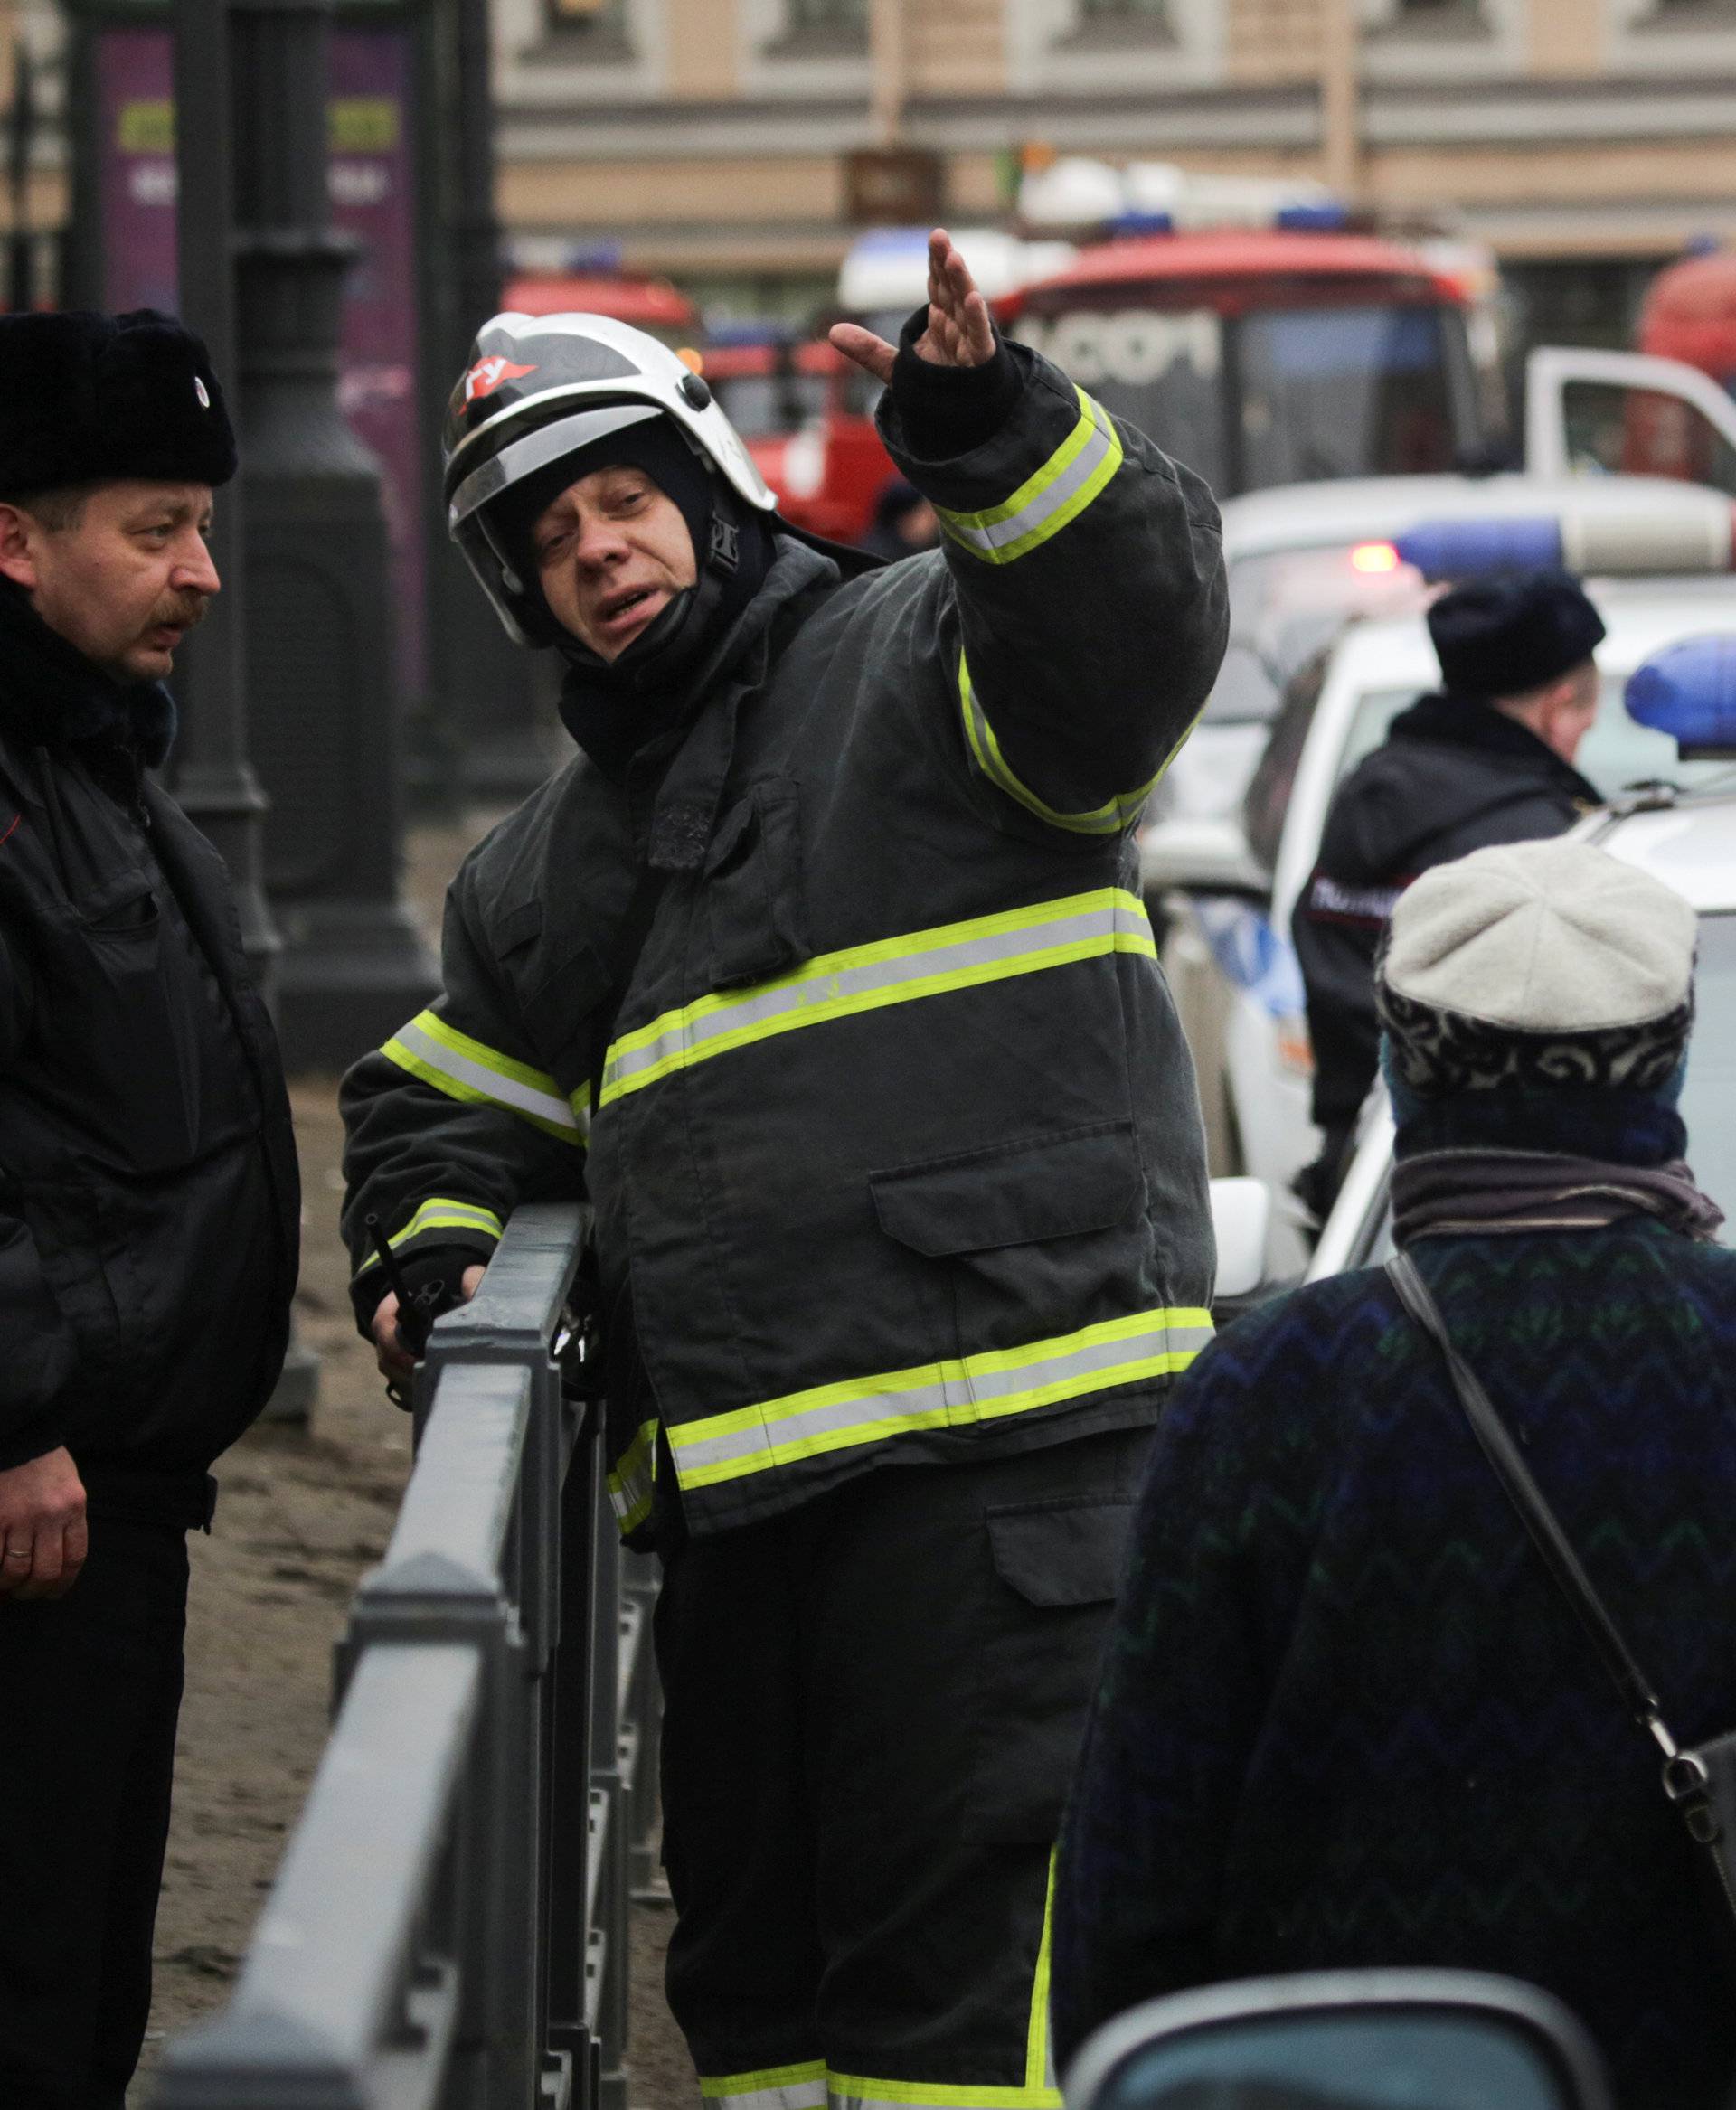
x=1345, y=2041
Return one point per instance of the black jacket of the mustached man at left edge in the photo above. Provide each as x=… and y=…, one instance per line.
x=149, y=1189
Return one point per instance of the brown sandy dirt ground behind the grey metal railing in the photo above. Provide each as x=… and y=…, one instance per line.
x=303, y=1514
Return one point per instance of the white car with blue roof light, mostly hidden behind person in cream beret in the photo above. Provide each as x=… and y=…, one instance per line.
x=1684, y=835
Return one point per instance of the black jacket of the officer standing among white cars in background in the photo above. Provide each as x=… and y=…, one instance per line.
x=1452, y=778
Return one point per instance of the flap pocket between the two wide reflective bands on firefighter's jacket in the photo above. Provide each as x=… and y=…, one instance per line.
x=1014, y=1195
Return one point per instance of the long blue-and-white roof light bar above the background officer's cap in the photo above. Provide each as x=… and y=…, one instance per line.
x=1638, y=539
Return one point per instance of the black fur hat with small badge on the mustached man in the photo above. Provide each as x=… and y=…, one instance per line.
x=109, y=398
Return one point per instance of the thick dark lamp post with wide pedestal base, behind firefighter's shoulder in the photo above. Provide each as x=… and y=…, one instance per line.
x=320, y=670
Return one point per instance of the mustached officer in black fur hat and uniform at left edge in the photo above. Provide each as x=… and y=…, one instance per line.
x=149, y=1193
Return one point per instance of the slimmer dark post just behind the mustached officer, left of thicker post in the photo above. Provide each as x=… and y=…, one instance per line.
x=214, y=780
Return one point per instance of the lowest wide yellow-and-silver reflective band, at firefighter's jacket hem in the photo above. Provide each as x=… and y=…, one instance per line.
x=973, y=1389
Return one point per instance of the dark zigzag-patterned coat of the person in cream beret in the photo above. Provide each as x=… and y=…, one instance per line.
x=1347, y=1719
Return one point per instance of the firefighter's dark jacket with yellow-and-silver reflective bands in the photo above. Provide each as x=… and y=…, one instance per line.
x=895, y=1132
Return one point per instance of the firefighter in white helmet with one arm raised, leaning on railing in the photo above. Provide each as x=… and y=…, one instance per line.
x=824, y=974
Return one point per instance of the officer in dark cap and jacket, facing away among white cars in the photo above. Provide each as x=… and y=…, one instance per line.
x=1486, y=759
